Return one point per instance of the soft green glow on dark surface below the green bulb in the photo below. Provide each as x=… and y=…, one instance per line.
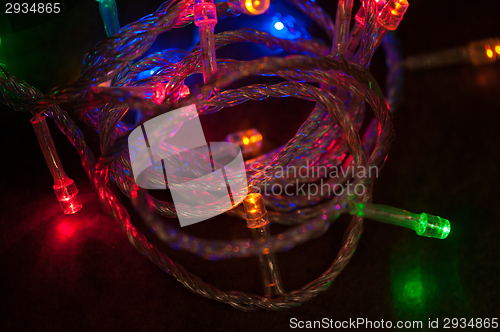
x=425, y=278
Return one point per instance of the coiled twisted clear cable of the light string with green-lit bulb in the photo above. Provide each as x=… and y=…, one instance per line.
x=111, y=85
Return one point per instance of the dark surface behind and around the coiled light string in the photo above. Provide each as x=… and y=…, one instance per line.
x=79, y=272
